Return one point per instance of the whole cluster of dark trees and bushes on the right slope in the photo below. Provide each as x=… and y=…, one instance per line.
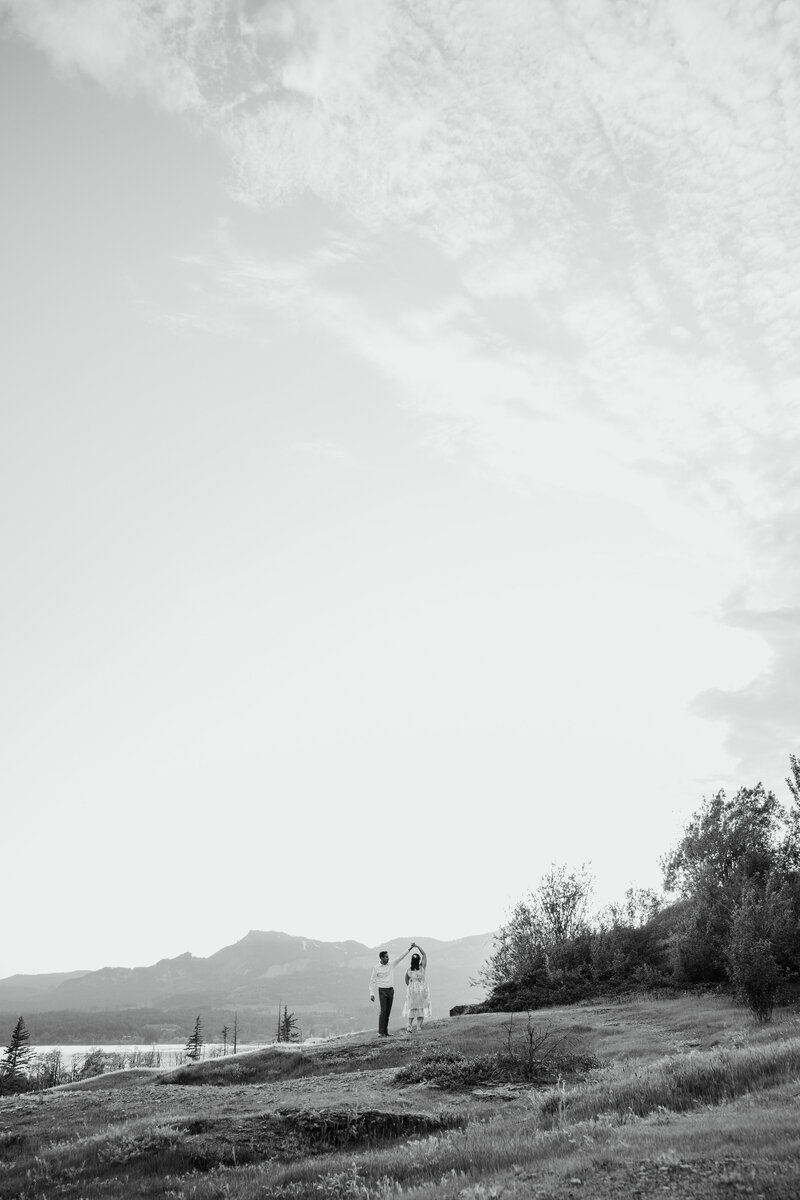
x=730, y=917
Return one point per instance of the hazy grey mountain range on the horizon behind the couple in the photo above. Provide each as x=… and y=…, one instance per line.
x=324, y=983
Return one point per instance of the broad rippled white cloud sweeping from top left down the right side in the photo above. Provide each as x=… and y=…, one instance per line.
x=610, y=193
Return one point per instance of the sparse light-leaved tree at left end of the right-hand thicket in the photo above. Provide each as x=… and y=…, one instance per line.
x=540, y=926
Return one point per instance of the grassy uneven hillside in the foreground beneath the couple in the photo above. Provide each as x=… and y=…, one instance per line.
x=670, y=1099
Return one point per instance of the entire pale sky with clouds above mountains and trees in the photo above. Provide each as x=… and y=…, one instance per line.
x=400, y=457
